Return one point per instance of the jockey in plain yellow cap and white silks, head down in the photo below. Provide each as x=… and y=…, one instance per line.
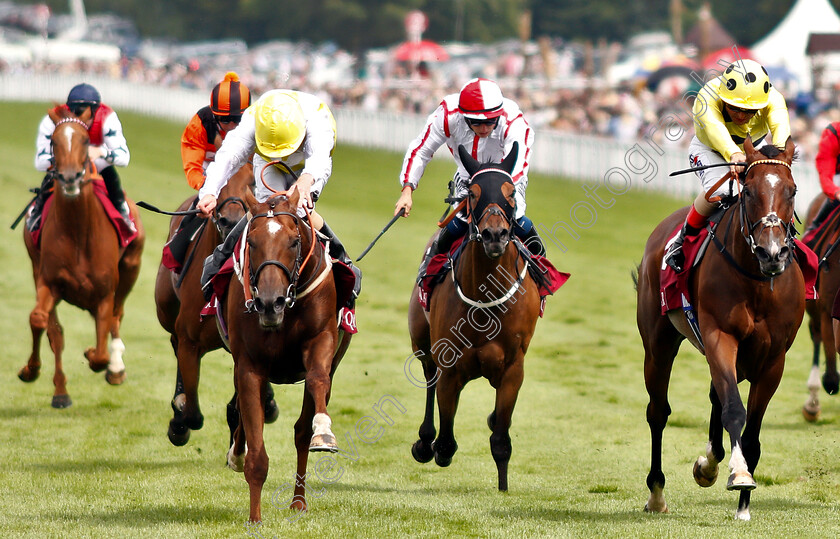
x=296, y=127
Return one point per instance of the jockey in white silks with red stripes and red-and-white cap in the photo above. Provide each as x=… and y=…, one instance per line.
x=488, y=125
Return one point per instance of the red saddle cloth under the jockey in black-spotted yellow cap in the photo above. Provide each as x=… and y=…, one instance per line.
x=673, y=286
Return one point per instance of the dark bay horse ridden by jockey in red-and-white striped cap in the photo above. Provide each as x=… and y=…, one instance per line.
x=475, y=327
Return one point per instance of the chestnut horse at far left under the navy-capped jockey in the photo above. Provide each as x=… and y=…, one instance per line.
x=80, y=260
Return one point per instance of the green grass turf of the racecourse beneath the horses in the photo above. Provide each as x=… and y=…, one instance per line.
x=104, y=467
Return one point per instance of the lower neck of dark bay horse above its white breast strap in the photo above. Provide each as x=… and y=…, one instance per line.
x=477, y=273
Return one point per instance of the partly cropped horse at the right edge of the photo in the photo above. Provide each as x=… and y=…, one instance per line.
x=825, y=244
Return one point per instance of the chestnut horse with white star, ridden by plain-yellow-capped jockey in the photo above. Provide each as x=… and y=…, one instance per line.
x=283, y=328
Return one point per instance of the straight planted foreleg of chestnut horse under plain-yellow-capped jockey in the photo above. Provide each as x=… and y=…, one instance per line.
x=250, y=387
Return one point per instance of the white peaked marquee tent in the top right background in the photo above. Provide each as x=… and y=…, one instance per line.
x=785, y=45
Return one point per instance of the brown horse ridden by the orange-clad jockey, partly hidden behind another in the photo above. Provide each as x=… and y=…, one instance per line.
x=180, y=300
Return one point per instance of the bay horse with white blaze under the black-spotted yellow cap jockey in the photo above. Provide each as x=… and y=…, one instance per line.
x=749, y=298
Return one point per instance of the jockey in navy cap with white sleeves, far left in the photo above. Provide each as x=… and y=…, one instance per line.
x=108, y=149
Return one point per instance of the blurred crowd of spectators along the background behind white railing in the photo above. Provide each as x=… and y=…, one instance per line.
x=626, y=111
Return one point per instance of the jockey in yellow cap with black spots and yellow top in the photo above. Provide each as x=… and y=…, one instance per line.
x=740, y=102
